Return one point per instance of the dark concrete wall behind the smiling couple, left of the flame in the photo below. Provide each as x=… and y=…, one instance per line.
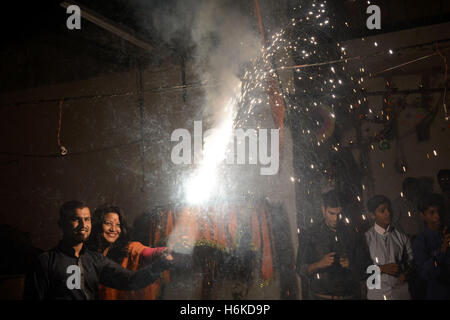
x=34, y=187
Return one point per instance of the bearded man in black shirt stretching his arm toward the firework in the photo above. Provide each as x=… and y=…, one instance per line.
x=72, y=272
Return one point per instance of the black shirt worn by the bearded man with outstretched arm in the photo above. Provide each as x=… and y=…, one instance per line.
x=50, y=275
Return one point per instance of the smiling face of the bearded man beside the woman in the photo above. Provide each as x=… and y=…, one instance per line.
x=77, y=228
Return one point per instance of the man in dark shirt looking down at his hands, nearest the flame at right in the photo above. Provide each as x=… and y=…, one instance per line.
x=332, y=256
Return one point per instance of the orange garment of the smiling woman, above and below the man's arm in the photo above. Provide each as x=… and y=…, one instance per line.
x=131, y=262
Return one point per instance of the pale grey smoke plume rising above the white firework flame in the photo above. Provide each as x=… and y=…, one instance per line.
x=222, y=40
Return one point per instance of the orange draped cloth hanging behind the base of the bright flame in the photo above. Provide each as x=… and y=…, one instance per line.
x=209, y=226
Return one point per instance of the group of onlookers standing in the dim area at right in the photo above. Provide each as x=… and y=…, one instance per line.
x=408, y=245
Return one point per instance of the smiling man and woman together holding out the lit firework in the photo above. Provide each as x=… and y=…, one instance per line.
x=96, y=259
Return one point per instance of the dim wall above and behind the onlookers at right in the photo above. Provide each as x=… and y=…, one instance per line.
x=428, y=74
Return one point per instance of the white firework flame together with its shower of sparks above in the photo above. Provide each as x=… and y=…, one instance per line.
x=324, y=89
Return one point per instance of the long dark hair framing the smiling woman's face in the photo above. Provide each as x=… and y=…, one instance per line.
x=119, y=249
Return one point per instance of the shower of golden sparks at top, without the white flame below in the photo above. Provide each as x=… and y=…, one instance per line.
x=305, y=38
